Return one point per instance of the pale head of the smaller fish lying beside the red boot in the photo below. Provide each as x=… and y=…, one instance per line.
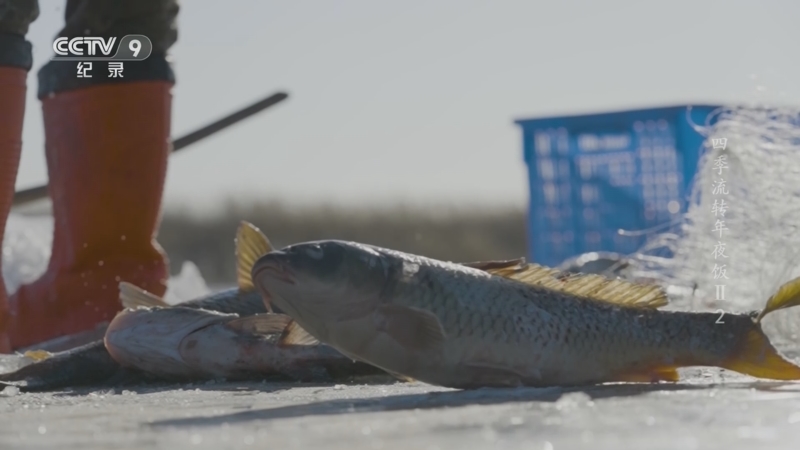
x=149, y=338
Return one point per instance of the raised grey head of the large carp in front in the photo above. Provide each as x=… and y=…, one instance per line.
x=321, y=283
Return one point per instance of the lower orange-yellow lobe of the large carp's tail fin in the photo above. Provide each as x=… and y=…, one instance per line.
x=758, y=358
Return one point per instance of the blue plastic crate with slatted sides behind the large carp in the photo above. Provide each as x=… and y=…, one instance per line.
x=592, y=175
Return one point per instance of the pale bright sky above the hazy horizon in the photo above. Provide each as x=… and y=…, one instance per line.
x=414, y=100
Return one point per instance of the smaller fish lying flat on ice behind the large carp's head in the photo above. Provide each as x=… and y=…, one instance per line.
x=186, y=344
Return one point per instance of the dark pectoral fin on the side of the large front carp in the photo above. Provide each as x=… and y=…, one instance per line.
x=414, y=329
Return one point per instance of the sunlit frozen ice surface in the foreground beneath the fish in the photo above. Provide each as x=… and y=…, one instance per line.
x=703, y=415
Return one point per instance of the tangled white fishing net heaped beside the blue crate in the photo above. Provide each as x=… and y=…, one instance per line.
x=759, y=248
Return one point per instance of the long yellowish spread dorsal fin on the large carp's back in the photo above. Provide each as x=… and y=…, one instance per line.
x=595, y=287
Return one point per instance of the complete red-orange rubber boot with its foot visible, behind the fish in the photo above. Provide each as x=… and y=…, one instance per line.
x=107, y=148
